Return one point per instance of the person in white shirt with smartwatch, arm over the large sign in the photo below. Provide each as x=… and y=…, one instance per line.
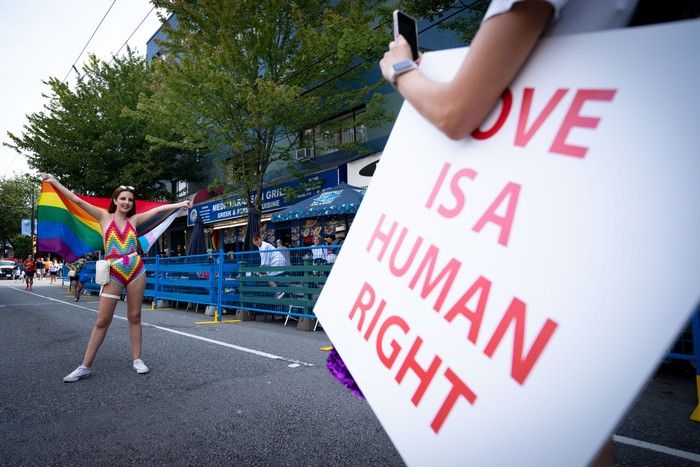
x=509, y=32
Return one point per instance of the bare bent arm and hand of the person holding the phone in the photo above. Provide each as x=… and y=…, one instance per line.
x=498, y=51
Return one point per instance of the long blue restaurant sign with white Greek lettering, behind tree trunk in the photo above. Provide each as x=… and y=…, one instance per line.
x=234, y=206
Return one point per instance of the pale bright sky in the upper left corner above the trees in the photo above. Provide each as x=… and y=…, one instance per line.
x=43, y=38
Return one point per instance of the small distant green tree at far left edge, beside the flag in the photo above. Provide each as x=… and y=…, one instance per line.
x=15, y=204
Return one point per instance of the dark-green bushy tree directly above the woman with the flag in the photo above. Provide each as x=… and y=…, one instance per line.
x=90, y=140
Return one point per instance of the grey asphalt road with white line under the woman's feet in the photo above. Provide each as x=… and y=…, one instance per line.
x=250, y=393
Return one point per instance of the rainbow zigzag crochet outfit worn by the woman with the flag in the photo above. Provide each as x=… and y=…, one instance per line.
x=125, y=267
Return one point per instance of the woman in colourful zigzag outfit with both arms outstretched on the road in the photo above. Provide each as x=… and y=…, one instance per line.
x=118, y=223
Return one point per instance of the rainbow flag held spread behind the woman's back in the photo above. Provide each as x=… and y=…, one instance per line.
x=66, y=229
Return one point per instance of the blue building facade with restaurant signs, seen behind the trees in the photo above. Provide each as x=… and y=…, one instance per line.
x=323, y=166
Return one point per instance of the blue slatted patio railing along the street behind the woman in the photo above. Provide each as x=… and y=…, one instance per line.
x=237, y=281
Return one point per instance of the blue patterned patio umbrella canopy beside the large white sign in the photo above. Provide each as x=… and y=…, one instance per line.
x=341, y=199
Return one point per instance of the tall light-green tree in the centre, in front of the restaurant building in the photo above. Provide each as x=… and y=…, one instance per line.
x=242, y=80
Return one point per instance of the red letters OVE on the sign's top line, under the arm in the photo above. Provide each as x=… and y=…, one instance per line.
x=528, y=124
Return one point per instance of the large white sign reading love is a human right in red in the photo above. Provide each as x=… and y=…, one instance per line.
x=500, y=300
